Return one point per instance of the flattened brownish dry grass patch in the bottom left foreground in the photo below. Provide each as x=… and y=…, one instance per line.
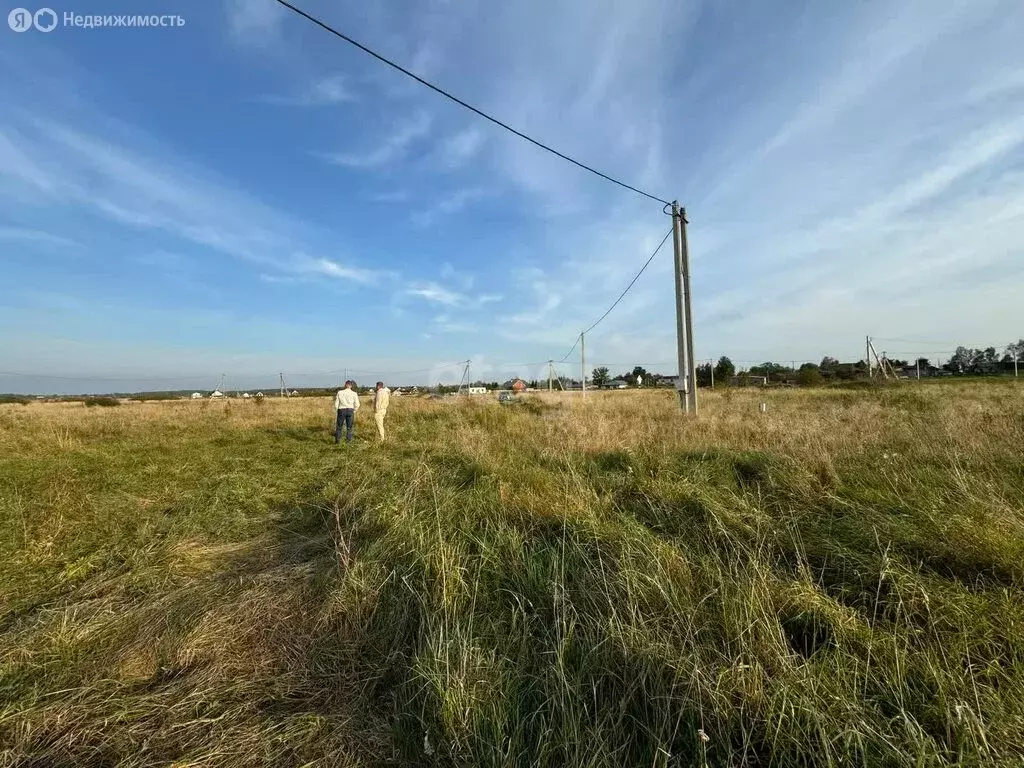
x=250, y=662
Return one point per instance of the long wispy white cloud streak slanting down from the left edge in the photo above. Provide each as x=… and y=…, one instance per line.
x=152, y=191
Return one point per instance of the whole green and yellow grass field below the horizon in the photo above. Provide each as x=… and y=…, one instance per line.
x=837, y=582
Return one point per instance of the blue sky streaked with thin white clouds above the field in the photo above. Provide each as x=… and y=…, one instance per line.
x=247, y=195
